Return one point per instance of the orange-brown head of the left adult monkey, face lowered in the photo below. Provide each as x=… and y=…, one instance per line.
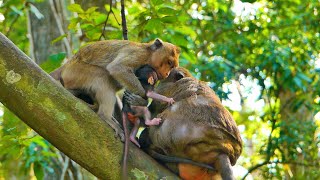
x=164, y=58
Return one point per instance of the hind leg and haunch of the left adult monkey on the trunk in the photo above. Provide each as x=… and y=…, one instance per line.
x=95, y=81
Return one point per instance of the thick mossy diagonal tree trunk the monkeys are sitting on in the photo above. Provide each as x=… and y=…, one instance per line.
x=63, y=120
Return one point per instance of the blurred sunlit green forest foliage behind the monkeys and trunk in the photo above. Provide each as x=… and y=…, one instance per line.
x=262, y=58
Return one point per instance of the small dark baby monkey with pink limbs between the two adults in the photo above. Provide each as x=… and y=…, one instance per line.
x=147, y=77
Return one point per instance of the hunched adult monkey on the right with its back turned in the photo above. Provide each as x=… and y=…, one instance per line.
x=196, y=127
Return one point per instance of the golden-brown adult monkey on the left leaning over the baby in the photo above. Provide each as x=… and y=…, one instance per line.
x=102, y=68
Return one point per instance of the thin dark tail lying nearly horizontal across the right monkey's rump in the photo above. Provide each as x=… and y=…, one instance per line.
x=171, y=159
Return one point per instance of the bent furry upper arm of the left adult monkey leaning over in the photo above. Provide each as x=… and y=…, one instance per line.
x=123, y=73
